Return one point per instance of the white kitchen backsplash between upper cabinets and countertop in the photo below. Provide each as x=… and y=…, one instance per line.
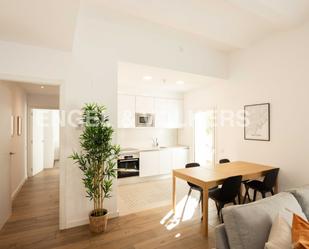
x=142, y=137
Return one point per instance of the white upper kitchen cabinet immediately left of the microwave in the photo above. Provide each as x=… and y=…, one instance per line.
x=126, y=111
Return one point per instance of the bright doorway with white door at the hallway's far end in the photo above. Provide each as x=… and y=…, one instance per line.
x=44, y=135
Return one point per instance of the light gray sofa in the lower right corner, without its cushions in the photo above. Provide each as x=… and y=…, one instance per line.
x=248, y=226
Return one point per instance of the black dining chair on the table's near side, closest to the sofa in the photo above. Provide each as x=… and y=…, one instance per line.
x=226, y=194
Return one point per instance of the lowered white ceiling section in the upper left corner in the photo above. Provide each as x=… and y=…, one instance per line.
x=45, y=23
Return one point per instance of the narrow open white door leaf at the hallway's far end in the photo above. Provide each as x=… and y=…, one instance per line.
x=37, y=121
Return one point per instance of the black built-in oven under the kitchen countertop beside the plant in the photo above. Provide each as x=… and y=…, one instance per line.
x=128, y=165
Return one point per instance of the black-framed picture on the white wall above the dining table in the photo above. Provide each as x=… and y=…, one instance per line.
x=257, y=122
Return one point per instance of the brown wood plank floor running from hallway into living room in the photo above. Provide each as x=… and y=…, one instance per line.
x=34, y=224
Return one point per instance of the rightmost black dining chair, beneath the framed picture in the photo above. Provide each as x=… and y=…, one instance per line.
x=264, y=187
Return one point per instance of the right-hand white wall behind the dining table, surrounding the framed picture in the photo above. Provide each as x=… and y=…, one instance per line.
x=276, y=71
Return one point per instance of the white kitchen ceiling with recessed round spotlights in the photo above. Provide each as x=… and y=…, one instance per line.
x=131, y=76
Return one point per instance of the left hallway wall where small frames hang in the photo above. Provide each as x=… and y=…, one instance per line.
x=18, y=143
